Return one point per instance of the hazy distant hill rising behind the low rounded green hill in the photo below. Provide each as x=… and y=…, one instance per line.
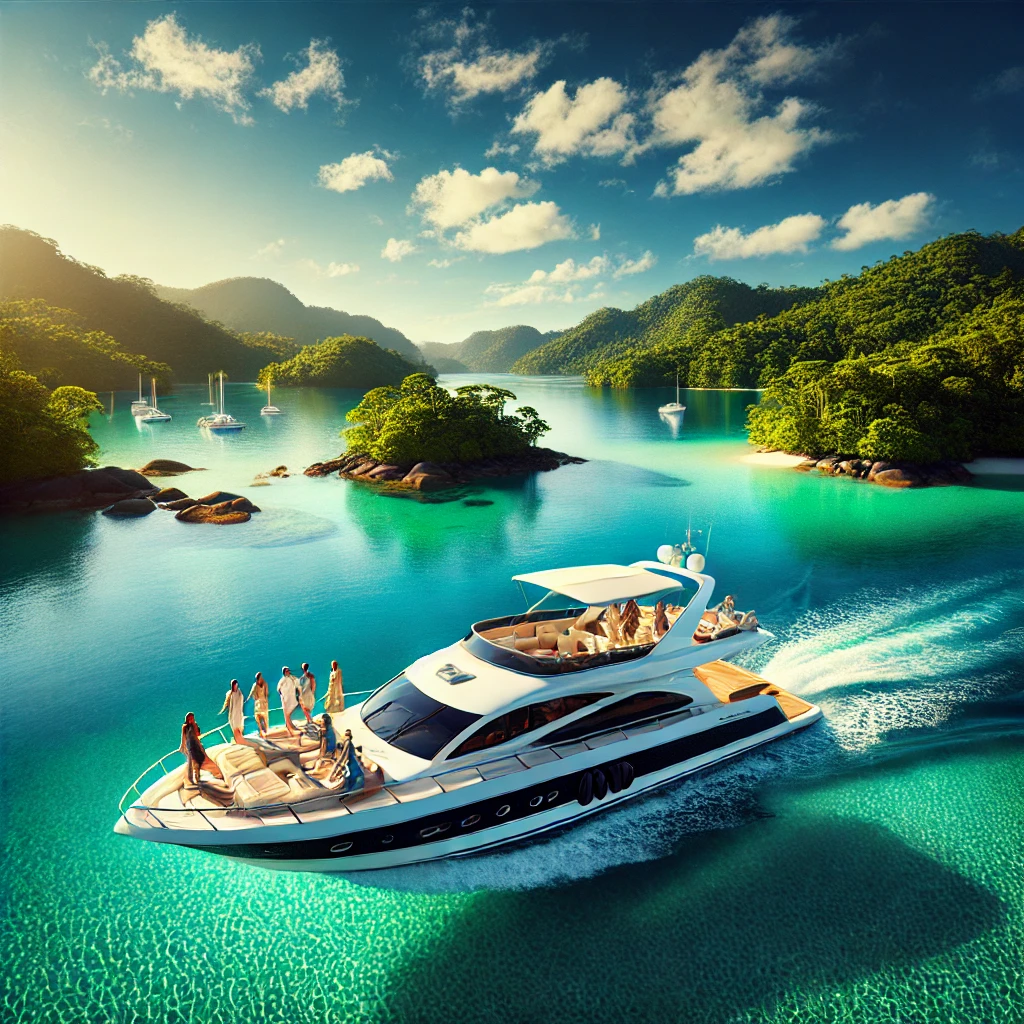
x=262, y=305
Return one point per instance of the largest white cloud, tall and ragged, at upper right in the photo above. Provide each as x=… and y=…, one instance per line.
x=719, y=105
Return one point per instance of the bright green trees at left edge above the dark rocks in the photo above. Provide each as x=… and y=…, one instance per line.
x=42, y=433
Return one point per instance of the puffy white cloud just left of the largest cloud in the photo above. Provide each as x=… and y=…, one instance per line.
x=593, y=122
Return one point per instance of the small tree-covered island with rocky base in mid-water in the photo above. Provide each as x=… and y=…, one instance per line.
x=421, y=437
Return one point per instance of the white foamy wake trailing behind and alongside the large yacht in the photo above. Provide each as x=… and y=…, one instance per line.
x=887, y=669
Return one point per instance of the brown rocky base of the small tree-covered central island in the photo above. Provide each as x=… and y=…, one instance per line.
x=430, y=477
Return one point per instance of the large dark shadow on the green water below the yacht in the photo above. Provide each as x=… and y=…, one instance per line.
x=729, y=928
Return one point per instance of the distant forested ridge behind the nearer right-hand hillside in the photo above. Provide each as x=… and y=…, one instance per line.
x=685, y=317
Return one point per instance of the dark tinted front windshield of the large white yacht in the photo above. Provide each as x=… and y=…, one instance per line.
x=405, y=717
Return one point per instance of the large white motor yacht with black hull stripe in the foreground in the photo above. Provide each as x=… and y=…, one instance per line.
x=615, y=684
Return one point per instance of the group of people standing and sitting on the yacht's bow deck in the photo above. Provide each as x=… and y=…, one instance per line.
x=295, y=693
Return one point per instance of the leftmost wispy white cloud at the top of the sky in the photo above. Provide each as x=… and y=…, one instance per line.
x=165, y=60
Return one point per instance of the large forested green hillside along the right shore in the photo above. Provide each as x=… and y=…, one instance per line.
x=916, y=359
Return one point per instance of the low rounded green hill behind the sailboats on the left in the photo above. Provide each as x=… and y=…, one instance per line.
x=345, y=362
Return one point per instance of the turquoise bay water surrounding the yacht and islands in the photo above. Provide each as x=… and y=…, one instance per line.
x=870, y=870
